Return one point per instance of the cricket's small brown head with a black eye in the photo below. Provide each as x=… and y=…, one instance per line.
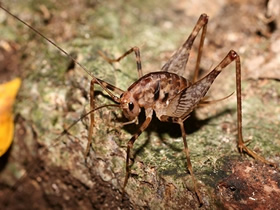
x=129, y=105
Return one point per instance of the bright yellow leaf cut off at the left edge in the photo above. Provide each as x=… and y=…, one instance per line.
x=8, y=92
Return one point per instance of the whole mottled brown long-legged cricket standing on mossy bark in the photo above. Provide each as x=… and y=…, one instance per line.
x=167, y=93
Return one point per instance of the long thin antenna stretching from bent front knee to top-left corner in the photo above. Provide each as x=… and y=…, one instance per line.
x=46, y=38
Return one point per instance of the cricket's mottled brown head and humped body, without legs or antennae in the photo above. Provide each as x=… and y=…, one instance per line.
x=152, y=91
